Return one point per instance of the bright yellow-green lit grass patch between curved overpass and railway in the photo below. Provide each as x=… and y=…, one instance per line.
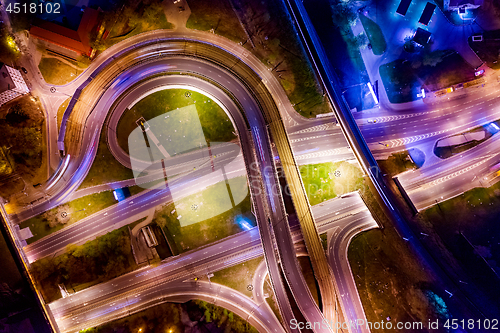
x=327, y=180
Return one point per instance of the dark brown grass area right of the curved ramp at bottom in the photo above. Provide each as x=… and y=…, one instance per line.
x=389, y=280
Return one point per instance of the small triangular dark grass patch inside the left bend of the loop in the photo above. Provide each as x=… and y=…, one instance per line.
x=105, y=168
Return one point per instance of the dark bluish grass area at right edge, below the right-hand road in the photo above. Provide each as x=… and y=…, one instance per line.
x=471, y=218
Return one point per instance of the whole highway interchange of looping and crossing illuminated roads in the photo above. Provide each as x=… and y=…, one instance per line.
x=312, y=141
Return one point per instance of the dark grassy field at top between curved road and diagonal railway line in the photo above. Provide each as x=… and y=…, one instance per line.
x=272, y=39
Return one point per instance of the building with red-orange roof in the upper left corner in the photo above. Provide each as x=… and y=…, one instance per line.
x=67, y=42
